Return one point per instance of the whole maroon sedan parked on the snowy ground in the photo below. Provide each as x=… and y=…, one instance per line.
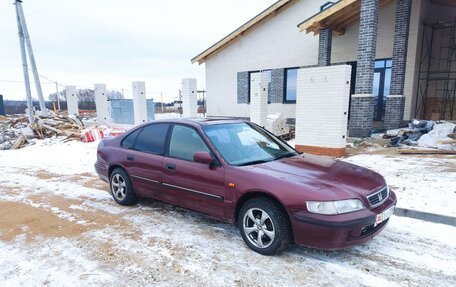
x=236, y=171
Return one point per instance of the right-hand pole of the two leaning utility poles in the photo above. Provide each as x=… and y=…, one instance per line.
x=28, y=43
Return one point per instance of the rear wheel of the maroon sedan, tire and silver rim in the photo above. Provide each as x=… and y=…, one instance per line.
x=121, y=187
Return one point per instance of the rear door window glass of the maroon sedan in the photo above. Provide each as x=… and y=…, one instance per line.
x=152, y=138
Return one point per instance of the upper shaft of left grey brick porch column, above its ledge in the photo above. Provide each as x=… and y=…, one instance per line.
x=367, y=41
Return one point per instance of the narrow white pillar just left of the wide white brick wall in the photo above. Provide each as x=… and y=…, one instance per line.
x=259, y=98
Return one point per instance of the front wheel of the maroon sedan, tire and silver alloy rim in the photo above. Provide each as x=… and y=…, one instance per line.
x=264, y=226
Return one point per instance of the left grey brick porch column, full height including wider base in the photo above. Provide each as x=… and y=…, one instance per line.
x=362, y=103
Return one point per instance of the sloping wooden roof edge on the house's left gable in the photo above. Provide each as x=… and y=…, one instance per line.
x=201, y=58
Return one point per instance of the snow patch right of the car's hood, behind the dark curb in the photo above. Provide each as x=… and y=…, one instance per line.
x=425, y=183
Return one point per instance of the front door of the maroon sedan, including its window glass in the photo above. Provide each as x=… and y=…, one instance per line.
x=190, y=184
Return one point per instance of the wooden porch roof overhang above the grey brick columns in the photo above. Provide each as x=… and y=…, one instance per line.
x=336, y=17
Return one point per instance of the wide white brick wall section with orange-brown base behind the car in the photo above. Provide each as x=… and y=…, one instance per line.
x=321, y=108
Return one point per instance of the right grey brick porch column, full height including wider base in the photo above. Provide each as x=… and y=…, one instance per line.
x=395, y=103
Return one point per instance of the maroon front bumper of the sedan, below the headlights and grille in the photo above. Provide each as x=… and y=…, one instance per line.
x=338, y=231
